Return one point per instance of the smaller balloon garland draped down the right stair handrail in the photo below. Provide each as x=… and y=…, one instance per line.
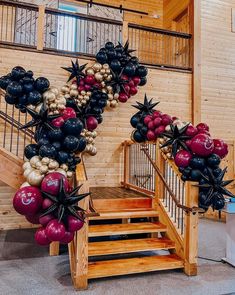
x=192, y=148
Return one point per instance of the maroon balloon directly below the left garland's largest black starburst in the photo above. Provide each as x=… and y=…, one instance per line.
x=55, y=230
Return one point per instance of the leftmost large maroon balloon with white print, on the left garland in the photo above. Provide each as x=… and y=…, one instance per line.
x=28, y=200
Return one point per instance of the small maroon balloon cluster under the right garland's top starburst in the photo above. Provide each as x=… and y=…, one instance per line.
x=156, y=124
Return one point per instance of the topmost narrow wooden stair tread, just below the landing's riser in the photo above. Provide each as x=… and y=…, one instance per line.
x=125, y=214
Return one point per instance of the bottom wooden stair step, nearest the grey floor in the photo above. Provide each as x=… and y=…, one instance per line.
x=118, y=267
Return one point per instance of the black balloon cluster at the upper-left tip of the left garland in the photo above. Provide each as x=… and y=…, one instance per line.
x=22, y=89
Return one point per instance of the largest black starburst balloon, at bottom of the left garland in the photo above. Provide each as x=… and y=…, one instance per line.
x=65, y=203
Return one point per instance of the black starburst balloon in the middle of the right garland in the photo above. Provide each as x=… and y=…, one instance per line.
x=176, y=139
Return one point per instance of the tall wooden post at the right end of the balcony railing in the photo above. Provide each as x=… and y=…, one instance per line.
x=195, y=13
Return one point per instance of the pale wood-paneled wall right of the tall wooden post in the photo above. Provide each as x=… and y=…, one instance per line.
x=218, y=70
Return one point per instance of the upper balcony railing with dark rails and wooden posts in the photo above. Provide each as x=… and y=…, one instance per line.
x=48, y=29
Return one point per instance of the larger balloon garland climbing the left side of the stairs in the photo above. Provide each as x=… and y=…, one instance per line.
x=65, y=121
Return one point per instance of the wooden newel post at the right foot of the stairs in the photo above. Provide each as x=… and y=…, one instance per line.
x=191, y=230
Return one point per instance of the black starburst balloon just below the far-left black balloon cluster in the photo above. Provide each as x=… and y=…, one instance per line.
x=40, y=120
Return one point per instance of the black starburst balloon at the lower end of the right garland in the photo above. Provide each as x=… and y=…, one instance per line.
x=215, y=185
